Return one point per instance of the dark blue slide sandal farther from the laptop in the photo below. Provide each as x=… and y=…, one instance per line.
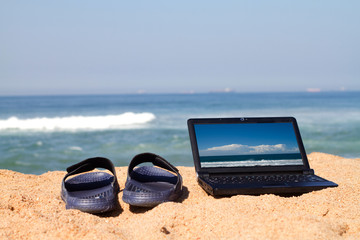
x=93, y=192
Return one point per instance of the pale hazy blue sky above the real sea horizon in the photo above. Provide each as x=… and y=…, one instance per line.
x=97, y=47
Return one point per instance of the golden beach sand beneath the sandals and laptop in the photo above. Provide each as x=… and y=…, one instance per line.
x=31, y=208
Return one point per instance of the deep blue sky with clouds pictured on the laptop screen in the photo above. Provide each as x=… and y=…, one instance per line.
x=240, y=139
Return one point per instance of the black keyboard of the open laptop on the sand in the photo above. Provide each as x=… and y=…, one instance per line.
x=281, y=178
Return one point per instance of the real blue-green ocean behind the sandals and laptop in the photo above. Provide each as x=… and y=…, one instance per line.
x=47, y=133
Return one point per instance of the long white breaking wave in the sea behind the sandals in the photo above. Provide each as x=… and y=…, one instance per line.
x=125, y=120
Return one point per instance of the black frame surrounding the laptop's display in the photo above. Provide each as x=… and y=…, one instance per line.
x=194, y=121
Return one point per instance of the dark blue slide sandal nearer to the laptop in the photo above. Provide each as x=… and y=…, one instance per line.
x=148, y=186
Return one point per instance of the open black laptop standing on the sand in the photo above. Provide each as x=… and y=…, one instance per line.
x=251, y=156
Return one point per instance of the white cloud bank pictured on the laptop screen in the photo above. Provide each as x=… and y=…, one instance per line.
x=239, y=149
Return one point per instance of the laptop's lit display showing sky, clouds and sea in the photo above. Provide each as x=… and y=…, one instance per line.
x=247, y=145
